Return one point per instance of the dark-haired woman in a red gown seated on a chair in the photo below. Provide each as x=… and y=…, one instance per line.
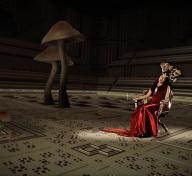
x=144, y=119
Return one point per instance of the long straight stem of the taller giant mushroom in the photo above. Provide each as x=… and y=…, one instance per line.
x=63, y=97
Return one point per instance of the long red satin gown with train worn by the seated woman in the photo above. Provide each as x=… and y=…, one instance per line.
x=144, y=119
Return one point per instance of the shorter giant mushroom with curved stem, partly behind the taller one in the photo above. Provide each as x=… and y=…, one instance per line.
x=51, y=55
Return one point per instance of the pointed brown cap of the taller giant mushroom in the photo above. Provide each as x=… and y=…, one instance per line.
x=62, y=30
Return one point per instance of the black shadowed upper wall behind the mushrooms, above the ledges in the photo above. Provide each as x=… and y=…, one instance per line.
x=111, y=31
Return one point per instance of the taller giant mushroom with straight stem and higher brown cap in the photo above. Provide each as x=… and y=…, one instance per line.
x=61, y=34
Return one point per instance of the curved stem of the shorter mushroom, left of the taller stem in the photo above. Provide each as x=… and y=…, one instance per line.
x=48, y=99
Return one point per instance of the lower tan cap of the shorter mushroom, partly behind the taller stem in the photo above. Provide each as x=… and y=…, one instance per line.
x=51, y=54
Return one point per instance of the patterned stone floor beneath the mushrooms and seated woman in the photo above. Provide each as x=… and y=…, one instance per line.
x=50, y=141
